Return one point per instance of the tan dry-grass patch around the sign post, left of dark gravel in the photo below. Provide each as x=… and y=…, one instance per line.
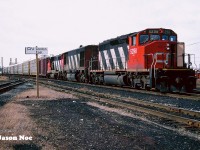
x=15, y=119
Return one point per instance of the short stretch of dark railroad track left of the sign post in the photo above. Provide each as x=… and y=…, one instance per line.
x=4, y=87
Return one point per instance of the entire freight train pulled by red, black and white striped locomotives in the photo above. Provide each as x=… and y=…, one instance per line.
x=148, y=59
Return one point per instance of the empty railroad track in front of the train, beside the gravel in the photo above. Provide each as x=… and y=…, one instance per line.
x=184, y=117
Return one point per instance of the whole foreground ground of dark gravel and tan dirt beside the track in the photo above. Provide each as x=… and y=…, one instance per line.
x=62, y=121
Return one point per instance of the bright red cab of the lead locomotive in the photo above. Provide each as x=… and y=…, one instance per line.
x=150, y=45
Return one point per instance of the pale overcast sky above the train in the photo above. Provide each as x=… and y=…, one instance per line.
x=62, y=25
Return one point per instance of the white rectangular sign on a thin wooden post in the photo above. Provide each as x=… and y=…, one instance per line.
x=36, y=50
